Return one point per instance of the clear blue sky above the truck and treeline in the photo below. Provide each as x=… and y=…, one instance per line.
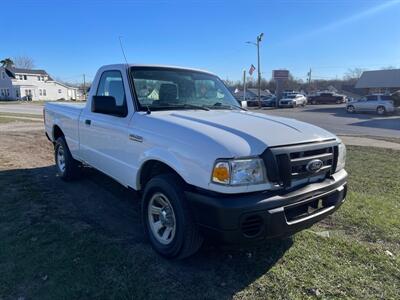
x=69, y=38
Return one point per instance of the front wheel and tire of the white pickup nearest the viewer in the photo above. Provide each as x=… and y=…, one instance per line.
x=183, y=237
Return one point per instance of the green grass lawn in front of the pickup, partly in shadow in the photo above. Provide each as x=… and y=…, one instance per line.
x=48, y=252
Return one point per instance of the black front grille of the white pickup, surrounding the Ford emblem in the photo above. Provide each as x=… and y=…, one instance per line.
x=288, y=164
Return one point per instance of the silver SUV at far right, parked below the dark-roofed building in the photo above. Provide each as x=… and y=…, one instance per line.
x=379, y=103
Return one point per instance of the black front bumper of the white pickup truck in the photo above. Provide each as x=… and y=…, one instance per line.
x=250, y=217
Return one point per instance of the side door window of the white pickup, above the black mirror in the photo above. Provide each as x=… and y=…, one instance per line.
x=111, y=84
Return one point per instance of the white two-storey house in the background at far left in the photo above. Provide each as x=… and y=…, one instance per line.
x=17, y=84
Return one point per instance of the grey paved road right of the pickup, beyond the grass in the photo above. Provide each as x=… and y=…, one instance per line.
x=334, y=118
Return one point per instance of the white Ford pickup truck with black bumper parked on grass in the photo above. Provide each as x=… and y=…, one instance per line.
x=205, y=167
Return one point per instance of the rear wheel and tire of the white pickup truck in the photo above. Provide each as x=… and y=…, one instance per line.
x=67, y=167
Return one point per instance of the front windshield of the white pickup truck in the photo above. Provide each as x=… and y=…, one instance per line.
x=169, y=88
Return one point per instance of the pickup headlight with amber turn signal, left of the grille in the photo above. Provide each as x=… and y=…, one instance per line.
x=239, y=171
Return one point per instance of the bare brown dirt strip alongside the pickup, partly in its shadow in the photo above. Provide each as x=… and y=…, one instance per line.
x=101, y=201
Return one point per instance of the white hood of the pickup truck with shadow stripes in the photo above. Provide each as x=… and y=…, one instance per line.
x=242, y=132
